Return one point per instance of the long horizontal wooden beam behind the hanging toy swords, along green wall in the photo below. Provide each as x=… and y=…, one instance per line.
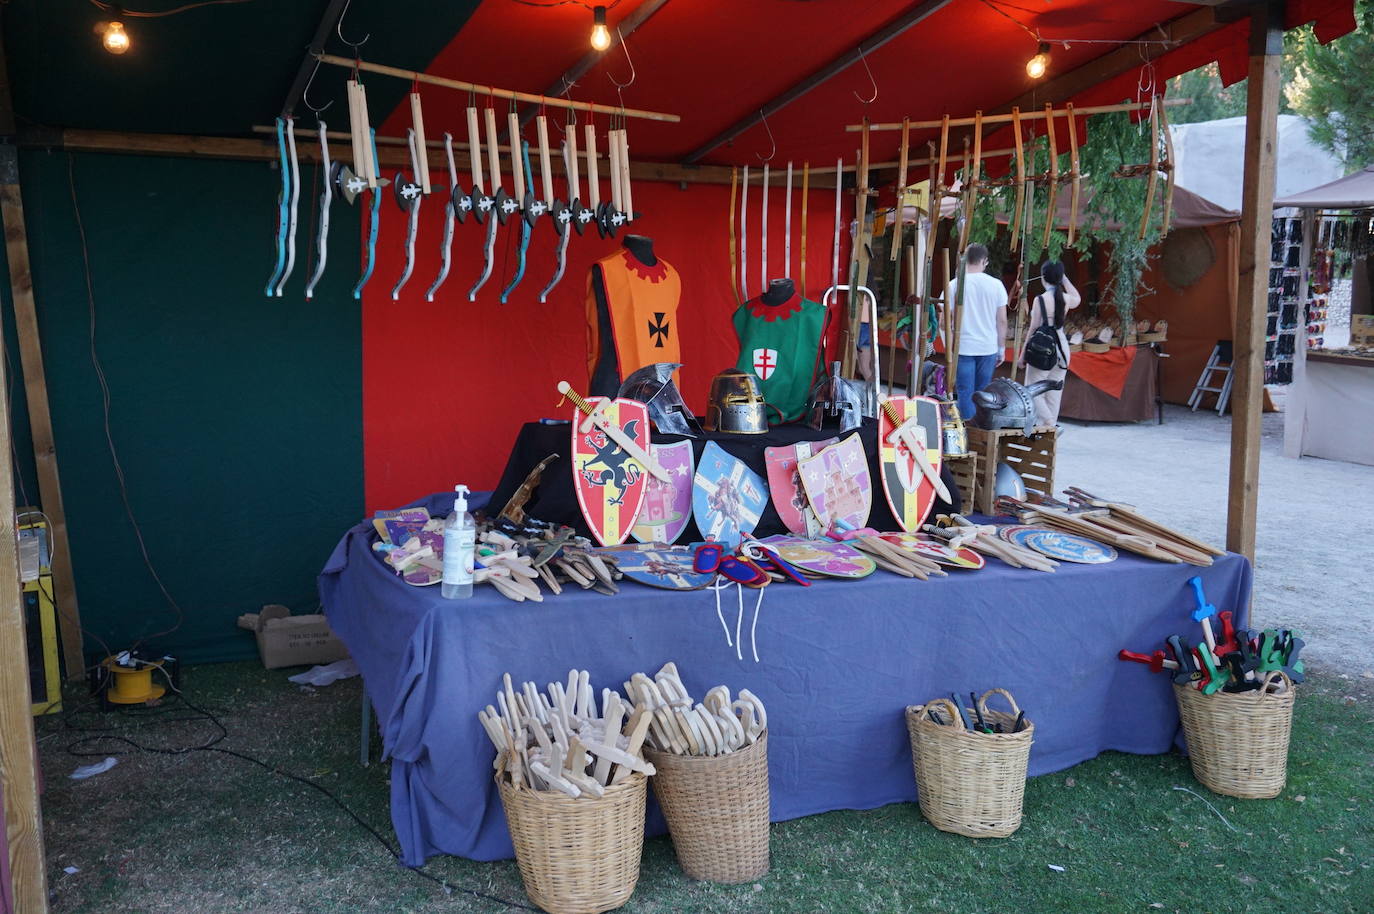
x=390, y=153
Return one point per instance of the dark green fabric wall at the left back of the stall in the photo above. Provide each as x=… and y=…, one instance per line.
x=237, y=417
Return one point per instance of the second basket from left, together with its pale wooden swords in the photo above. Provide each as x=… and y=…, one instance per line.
x=711, y=777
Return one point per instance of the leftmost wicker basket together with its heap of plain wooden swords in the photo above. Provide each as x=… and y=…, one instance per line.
x=574, y=784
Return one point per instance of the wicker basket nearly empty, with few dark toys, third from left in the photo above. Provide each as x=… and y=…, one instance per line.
x=971, y=783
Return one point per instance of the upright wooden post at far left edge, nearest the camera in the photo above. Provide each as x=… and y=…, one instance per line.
x=19, y=751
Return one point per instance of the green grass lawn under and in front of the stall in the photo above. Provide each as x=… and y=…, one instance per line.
x=208, y=834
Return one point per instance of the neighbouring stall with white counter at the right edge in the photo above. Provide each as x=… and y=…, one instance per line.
x=1329, y=386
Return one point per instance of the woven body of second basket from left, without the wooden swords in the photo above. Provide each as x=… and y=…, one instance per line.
x=718, y=812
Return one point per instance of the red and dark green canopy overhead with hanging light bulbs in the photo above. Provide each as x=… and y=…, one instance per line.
x=718, y=64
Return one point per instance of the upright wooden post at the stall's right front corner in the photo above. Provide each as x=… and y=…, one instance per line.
x=1252, y=306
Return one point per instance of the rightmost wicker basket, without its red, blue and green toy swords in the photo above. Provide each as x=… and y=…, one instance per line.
x=1239, y=742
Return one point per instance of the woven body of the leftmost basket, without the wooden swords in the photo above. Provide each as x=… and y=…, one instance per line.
x=578, y=856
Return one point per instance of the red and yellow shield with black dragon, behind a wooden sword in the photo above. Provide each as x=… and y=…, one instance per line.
x=609, y=483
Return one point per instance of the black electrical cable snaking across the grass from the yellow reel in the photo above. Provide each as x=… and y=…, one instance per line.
x=82, y=748
